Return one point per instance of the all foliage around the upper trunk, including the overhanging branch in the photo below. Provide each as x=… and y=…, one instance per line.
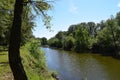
x=6, y=14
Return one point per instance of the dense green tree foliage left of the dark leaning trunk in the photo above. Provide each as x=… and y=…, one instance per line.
x=5, y=20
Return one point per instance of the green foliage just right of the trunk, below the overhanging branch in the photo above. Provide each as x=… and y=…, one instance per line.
x=27, y=25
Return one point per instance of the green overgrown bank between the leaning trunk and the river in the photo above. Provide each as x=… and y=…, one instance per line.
x=33, y=59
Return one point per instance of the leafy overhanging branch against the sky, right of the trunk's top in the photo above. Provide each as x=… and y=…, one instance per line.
x=40, y=7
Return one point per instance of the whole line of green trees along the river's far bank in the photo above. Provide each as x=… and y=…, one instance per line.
x=103, y=37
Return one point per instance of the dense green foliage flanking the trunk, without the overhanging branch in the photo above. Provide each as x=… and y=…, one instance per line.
x=6, y=14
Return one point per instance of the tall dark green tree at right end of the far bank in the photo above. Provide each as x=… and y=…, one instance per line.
x=108, y=37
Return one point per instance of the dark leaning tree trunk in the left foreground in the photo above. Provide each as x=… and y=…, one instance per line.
x=14, y=45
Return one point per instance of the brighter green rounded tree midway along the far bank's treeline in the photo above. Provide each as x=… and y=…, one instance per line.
x=81, y=43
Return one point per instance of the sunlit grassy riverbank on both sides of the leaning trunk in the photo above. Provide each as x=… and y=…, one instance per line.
x=34, y=64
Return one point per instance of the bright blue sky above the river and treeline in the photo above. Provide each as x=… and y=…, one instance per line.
x=68, y=12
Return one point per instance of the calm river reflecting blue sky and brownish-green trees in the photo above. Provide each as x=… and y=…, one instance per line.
x=82, y=66
